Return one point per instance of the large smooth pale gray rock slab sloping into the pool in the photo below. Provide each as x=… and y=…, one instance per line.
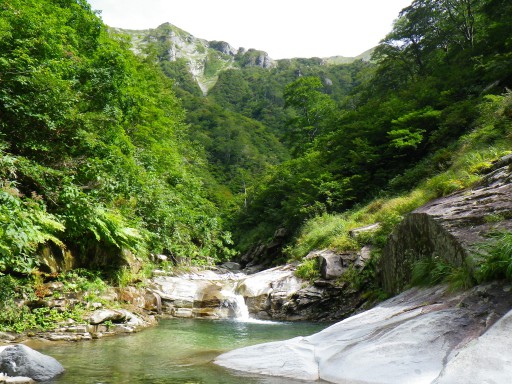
x=420, y=336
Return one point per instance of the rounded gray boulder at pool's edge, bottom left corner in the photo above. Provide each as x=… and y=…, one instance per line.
x=20, y=360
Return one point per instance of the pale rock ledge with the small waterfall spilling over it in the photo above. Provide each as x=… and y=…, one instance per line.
x=275, y=293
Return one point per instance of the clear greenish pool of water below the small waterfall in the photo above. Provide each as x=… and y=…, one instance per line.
x=176, y=351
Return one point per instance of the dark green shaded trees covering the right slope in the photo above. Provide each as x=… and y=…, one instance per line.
x=430, y=85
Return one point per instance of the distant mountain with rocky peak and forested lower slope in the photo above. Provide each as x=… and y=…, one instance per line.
x=234, y=99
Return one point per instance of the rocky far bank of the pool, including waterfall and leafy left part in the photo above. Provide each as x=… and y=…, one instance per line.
x=63, y=312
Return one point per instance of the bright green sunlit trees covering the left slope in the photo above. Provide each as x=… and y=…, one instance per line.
x=93, y=144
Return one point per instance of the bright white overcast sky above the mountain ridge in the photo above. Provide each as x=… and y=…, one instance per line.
x=282, y=28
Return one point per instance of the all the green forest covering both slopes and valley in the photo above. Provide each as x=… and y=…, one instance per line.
x=105, y=152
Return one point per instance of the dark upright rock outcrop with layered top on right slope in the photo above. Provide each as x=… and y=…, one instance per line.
x=449, y=227
